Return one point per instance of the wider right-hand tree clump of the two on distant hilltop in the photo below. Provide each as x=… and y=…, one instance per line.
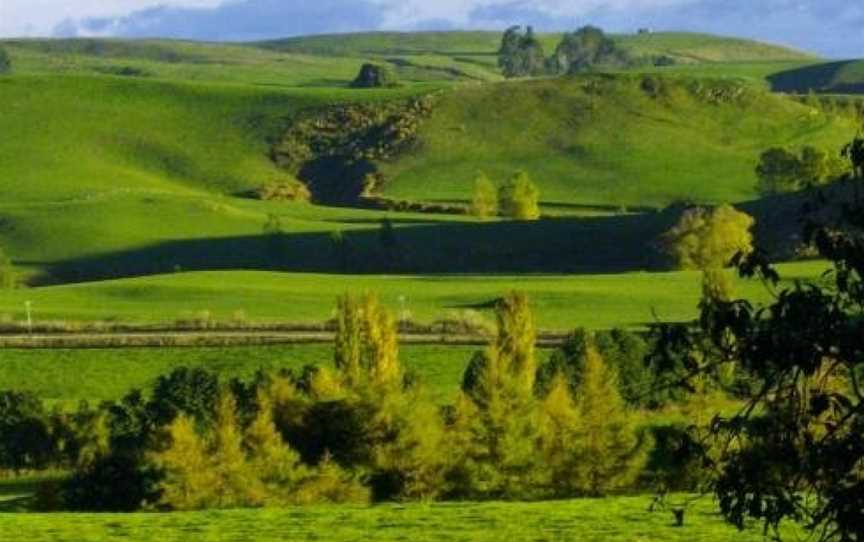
x=584, y=49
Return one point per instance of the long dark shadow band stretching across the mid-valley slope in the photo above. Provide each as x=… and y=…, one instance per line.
x=573, y=245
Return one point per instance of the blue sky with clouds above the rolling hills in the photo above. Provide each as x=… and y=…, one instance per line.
x=834, y=28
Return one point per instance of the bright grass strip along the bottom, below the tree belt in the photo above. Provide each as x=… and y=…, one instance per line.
x=607, y=520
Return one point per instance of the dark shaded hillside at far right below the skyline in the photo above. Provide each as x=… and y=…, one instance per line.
x=844, y=77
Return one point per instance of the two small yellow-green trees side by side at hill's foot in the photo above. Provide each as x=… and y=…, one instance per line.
x=518, y=198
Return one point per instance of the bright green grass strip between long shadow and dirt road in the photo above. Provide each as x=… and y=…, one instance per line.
x=561, y=302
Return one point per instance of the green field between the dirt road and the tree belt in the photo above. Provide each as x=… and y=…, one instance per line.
x=69, y=376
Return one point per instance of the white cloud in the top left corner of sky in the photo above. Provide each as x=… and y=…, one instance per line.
x=19, y=18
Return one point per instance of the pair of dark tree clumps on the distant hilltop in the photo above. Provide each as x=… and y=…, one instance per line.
x=522, y=54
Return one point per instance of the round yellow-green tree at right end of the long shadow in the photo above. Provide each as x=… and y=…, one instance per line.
x=707, y=239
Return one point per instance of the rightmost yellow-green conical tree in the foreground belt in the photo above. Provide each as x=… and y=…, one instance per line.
x=609, y=449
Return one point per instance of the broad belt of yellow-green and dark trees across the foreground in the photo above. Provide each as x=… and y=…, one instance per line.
x=359, y=430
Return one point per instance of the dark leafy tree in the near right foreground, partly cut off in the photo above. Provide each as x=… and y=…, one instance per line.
x=794, y=451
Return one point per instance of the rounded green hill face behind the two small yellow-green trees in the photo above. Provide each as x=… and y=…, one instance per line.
x=619, y=141
